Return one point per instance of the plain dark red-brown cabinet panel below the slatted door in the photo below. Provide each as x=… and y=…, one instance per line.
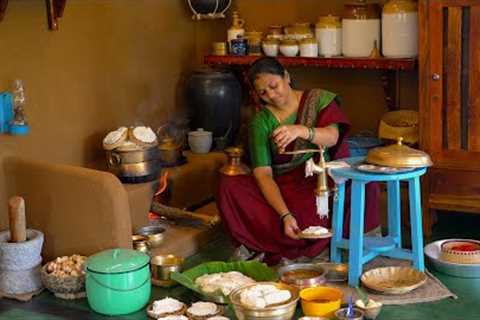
x=455, y=182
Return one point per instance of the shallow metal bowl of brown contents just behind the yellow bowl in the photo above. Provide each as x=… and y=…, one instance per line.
x=287, y=275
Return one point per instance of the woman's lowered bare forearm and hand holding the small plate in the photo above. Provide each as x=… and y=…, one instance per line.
x=271, y=192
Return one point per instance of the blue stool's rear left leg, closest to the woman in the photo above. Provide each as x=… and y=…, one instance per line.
x=337, y=224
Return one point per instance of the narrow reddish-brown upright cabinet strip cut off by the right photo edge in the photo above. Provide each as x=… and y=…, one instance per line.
x=474, y=81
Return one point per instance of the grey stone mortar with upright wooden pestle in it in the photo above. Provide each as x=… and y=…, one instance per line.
x=20, y=253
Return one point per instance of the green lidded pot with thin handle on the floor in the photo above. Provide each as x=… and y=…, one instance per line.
x=118, y=281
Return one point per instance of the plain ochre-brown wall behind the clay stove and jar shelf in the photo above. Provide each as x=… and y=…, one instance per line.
x=121, y=62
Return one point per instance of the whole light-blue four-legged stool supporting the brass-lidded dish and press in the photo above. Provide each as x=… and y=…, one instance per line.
x=363, y=249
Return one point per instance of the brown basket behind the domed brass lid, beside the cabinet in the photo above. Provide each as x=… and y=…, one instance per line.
x=401, y=123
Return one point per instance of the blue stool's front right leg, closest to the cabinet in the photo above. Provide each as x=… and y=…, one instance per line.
x=416, y=223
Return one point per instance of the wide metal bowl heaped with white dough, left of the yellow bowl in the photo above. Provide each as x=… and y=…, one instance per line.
x=282, y=311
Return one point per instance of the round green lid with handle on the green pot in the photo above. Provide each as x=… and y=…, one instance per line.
x=117, y=261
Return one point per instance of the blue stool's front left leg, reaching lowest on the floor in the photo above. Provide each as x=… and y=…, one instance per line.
x=357, y=211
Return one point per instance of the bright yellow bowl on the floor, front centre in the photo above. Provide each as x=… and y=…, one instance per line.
x=320, y=301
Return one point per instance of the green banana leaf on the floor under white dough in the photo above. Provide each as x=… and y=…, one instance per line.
x=253, y=269
